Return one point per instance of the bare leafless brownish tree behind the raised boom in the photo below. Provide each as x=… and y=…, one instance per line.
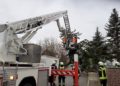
x=53, y=48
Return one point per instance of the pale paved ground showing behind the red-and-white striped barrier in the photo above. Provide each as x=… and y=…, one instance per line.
x=84, y=80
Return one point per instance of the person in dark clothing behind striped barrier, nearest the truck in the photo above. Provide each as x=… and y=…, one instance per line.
x=52, y=78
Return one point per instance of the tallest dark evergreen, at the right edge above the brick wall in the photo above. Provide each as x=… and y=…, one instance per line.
x=113, y=33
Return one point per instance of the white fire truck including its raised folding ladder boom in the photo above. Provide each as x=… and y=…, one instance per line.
x=13, y=72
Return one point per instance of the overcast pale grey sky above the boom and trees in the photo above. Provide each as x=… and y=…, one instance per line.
x=84, y=15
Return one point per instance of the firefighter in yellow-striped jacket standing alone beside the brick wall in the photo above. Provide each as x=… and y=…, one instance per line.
x=102, y=74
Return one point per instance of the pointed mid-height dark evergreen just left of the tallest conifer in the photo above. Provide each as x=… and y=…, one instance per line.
x=99, y=47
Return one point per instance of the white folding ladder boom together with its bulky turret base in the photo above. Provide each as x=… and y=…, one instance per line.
x=12, y=45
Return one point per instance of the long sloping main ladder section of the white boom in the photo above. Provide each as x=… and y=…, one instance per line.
x=29, y=24
